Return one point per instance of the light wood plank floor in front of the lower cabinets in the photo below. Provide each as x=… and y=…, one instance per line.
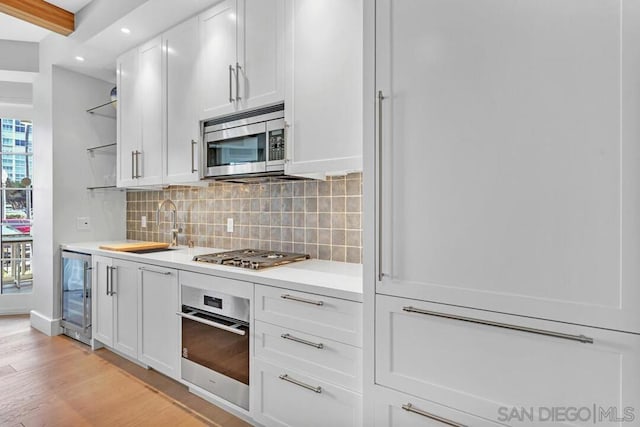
x=57, y=381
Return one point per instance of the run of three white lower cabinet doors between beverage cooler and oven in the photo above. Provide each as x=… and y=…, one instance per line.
x=134, y=312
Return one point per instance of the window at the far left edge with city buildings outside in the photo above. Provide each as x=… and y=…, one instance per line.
x=16, y=206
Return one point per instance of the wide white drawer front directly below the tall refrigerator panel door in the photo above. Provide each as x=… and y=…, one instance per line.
x=482, y=369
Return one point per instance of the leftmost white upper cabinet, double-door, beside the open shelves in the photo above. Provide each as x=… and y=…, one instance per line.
x=140, y=135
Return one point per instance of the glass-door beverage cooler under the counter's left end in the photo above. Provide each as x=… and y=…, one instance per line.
x=76, y=295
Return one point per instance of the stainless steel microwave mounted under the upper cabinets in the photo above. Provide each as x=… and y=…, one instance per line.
x=245, y=145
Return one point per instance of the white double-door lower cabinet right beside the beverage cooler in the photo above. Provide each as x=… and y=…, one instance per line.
x=115, y=304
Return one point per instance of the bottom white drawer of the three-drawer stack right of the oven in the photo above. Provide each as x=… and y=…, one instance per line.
x=288, y=398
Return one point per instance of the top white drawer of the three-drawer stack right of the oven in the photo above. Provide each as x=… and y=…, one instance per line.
x=326, y=317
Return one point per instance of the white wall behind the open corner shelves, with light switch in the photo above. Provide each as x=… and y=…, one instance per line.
x=62, y=171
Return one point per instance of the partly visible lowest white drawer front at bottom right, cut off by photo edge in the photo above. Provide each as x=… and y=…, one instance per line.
x=395, y=409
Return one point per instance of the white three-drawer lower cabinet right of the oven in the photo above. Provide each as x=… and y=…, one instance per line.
x=307, y=368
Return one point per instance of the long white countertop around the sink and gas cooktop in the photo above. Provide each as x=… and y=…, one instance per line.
x=330, y=278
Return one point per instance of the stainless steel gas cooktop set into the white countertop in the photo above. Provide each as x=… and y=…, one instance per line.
x=253, y=259
